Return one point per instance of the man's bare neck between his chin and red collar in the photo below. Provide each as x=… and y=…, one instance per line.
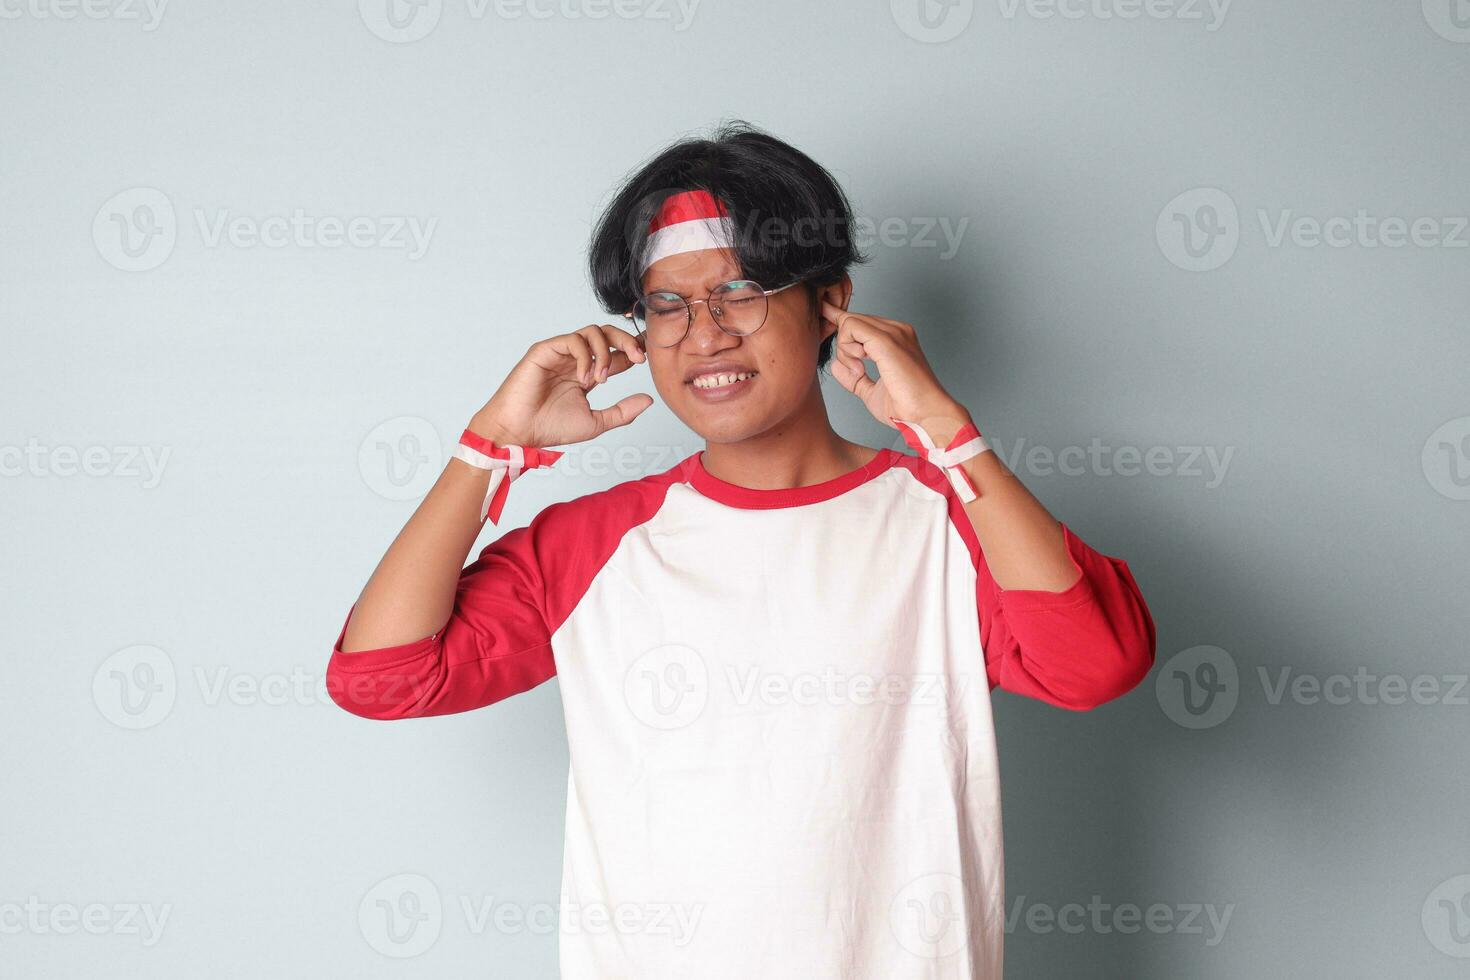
x=799, y=452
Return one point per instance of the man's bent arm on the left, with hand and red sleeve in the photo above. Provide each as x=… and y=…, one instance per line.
x=431, y=637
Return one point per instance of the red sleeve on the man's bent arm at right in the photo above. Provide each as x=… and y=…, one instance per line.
x=1077, y=649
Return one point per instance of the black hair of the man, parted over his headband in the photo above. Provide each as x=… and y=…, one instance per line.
x=792, y=218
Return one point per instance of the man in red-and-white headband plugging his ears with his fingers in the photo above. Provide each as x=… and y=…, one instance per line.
x=775, y=657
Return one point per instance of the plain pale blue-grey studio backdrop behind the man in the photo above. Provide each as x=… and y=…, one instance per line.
x=1200, y=273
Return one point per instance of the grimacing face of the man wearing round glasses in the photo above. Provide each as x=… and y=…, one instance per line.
x=781, y=356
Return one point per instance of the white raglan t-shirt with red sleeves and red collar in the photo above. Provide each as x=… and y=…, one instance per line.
x=778, y=712
